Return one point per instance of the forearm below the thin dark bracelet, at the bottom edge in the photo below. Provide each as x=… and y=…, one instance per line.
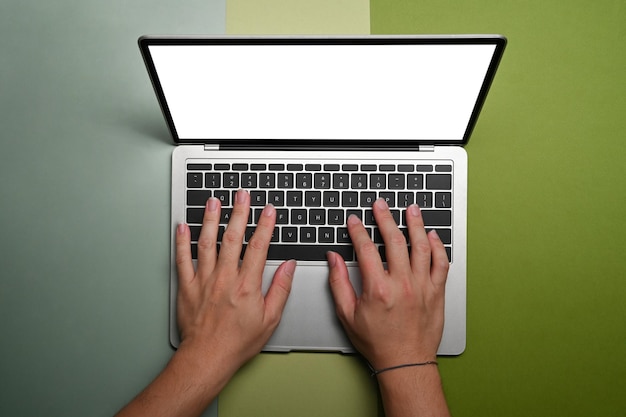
x=413, y=392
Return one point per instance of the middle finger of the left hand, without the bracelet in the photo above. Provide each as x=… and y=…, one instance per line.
x=232, y=240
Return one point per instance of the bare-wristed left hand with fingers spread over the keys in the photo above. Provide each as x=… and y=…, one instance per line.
x=221, y=309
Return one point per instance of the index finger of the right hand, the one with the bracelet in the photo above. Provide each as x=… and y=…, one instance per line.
x=367, y=254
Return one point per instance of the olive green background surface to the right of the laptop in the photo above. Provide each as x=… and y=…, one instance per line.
x=546, y=218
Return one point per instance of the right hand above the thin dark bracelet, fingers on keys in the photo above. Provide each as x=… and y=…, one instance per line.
x=398, y=318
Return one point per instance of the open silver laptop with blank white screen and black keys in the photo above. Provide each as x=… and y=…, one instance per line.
x=321, y=127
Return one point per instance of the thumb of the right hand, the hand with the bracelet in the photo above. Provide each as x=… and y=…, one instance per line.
x=341, y=288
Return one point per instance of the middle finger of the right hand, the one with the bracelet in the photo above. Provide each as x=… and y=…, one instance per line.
x=396, y=249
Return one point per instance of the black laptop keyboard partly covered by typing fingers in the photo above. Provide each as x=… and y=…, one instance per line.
x=313, y=201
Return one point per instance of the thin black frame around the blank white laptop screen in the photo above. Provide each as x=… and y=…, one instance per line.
x=146, y=41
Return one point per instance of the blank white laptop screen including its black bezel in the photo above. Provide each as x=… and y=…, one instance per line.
x=367, y=89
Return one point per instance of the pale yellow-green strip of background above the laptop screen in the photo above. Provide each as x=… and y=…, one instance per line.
x=298, y=17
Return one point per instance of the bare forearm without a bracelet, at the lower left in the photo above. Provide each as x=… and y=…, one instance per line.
x=185, y=387
